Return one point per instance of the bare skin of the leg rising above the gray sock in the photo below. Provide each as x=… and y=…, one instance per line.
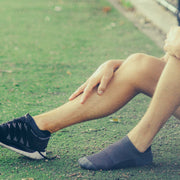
x=164, y=103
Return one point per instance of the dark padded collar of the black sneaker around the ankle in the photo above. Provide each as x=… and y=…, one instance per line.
x=36, y=130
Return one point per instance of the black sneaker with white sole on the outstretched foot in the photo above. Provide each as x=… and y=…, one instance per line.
x=19, y=136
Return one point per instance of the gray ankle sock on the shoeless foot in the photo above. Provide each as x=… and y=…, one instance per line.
x=121, y=154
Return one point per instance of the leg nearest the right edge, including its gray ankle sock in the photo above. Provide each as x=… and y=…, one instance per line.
x=134, y=149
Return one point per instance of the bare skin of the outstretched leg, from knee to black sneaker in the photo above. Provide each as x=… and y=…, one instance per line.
x=134, y=76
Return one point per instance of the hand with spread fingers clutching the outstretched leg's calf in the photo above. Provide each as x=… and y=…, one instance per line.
x=101, y=77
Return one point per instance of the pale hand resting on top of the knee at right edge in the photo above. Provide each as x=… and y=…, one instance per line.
x=172, y=42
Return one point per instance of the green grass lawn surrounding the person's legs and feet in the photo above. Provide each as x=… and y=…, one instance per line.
x=48, y=48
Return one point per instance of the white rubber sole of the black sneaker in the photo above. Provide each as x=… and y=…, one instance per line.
x=34, y=155
